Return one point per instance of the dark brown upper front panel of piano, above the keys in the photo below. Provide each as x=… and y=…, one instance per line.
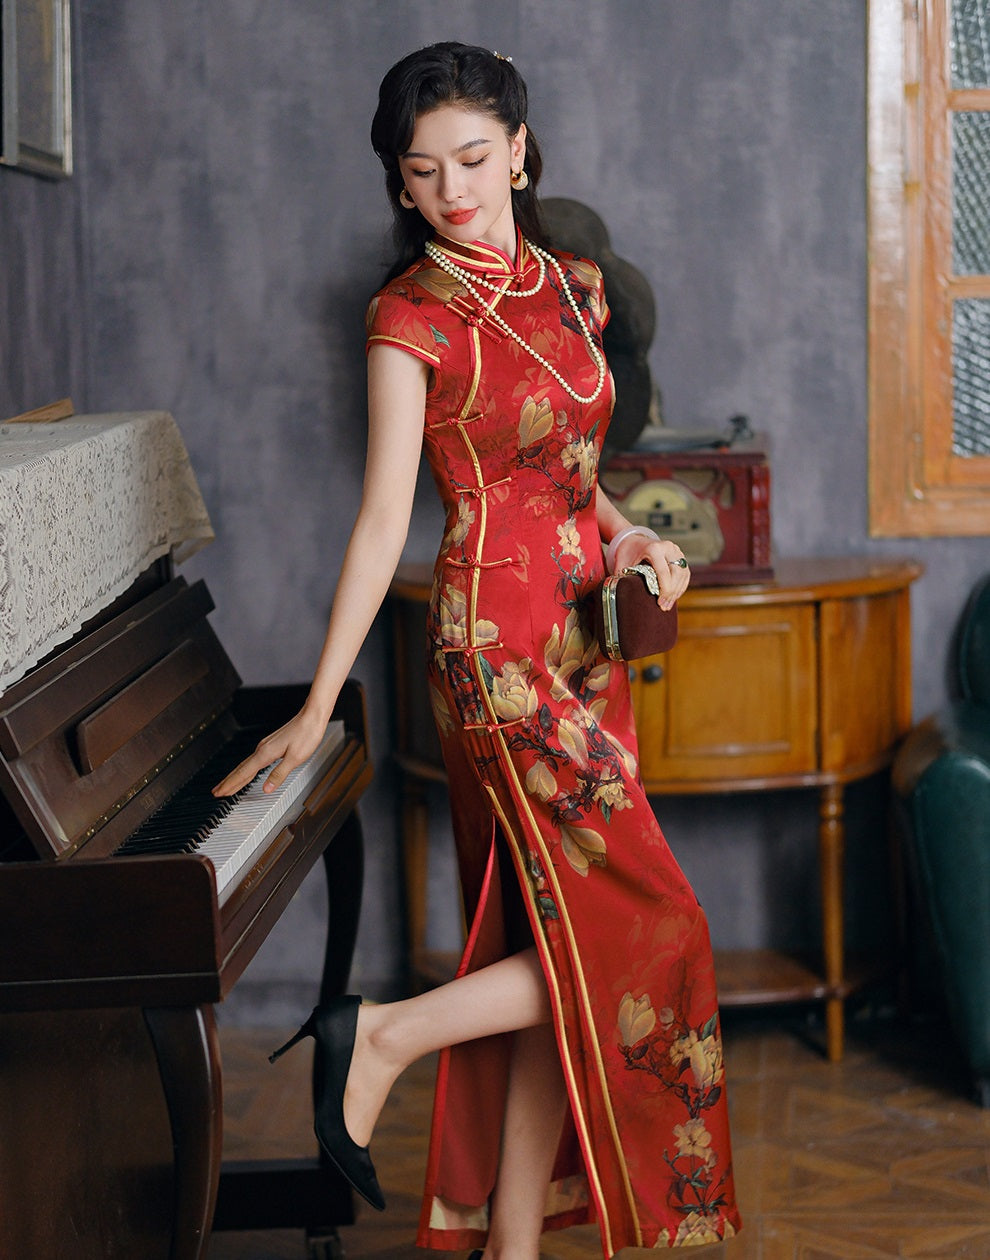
x=96, y=738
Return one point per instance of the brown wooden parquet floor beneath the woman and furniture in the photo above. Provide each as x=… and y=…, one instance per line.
x=879, y=1156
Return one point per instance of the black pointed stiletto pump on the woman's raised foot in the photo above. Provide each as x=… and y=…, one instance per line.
x=334, y=1028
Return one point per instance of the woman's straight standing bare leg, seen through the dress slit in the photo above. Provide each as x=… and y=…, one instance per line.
x=535, y=1114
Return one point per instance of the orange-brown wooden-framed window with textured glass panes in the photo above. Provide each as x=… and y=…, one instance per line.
x=929, y=158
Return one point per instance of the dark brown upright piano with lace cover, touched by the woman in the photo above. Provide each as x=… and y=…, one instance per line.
x=130, y=899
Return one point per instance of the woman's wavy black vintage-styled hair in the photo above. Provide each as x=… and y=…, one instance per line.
x=450, y=74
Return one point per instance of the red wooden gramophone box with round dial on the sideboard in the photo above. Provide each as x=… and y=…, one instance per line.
x=714, y=501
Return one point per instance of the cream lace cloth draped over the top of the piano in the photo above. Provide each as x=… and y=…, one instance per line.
x=86, y=506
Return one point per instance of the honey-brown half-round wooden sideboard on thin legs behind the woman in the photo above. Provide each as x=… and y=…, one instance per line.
x=803, y=681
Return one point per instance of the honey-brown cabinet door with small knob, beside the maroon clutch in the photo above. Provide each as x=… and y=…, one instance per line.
x=736, y=700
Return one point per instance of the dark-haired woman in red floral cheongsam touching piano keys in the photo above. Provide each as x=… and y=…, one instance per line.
x=581, y=1070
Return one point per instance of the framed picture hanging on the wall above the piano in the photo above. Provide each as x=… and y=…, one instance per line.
x=36, y=86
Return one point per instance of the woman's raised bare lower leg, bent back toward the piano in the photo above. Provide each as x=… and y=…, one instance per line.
x=504, y=997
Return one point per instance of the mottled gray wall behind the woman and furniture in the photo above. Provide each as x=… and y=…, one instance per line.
x=215, y=254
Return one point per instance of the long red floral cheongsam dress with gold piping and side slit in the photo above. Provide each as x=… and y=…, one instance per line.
x=538, y=738
